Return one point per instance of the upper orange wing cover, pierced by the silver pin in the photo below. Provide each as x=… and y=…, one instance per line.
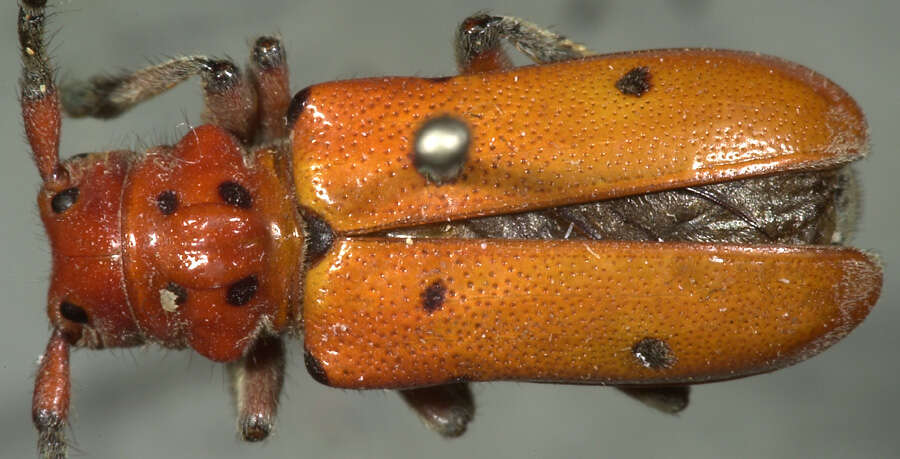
x=563, y=133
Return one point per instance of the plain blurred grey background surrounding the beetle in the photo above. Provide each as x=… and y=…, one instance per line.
x=155, y=404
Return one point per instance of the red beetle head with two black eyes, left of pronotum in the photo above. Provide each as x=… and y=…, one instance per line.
x=80, y=212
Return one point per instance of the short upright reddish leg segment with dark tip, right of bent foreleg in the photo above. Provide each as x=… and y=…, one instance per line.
x=269, y=71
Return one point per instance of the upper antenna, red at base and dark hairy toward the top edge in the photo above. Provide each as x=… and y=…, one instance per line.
x=39, y=97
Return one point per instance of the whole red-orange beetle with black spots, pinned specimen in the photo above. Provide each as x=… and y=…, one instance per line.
x=623, y=219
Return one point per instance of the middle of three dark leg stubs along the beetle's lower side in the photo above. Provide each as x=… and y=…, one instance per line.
x=446, y=409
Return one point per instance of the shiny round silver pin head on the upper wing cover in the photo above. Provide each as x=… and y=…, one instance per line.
x=441, y=148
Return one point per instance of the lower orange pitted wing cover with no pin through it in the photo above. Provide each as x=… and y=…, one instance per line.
x=574, y=311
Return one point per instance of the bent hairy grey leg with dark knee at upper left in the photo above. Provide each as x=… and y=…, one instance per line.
x=229, y=98
